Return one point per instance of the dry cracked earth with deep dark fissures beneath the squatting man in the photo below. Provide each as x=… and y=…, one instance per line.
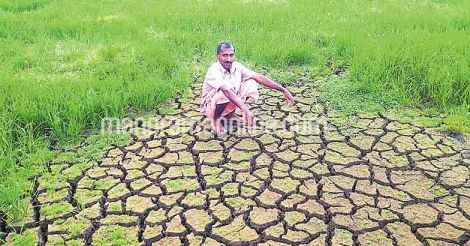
x=299, y=178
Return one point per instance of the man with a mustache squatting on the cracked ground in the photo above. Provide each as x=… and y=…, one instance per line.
x=228, y=85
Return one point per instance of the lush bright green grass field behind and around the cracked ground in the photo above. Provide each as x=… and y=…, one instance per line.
x=66, y=64
